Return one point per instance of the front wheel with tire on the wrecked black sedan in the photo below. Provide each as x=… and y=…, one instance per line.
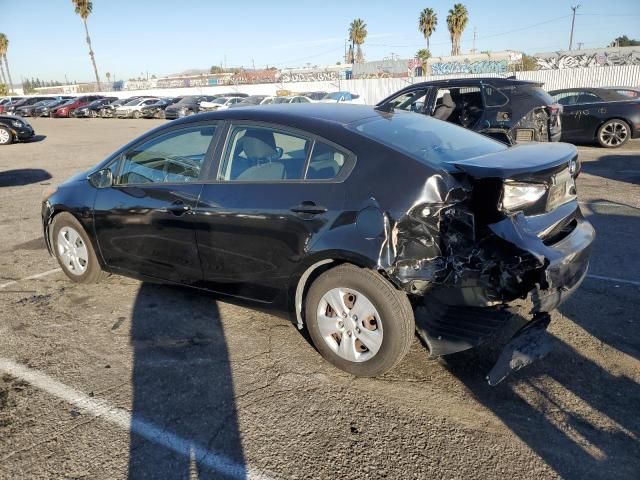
x=67, y=226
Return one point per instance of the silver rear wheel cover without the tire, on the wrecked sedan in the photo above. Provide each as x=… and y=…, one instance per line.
x=350, y=324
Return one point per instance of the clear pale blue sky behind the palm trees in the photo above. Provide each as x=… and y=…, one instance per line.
x=162, y=36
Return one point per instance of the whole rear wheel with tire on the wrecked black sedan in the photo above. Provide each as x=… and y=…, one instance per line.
x=390, y=327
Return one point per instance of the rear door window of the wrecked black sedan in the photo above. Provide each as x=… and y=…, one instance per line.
x=263, y=154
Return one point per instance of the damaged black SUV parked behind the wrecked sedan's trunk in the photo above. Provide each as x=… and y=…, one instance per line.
x=506, y=109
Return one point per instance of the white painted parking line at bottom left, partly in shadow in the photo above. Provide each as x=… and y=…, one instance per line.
x=123, y=419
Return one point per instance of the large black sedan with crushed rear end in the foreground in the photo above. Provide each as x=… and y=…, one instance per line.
x=355, y=220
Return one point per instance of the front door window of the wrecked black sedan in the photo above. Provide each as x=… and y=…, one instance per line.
x=174, y=157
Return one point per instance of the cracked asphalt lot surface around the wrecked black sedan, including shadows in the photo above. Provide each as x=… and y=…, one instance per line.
x=129, y=379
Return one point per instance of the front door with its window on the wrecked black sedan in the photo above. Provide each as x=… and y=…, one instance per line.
x=144, y=222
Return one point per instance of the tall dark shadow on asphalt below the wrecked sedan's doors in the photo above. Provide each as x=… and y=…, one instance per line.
x=182, y=385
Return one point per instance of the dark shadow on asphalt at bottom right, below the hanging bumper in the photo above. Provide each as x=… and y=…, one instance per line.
x=578, y=417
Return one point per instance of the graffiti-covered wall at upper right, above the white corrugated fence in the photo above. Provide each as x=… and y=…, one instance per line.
x=588, y=58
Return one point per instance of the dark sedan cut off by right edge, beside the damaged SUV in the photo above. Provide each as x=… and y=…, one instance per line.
x=598, y=114
